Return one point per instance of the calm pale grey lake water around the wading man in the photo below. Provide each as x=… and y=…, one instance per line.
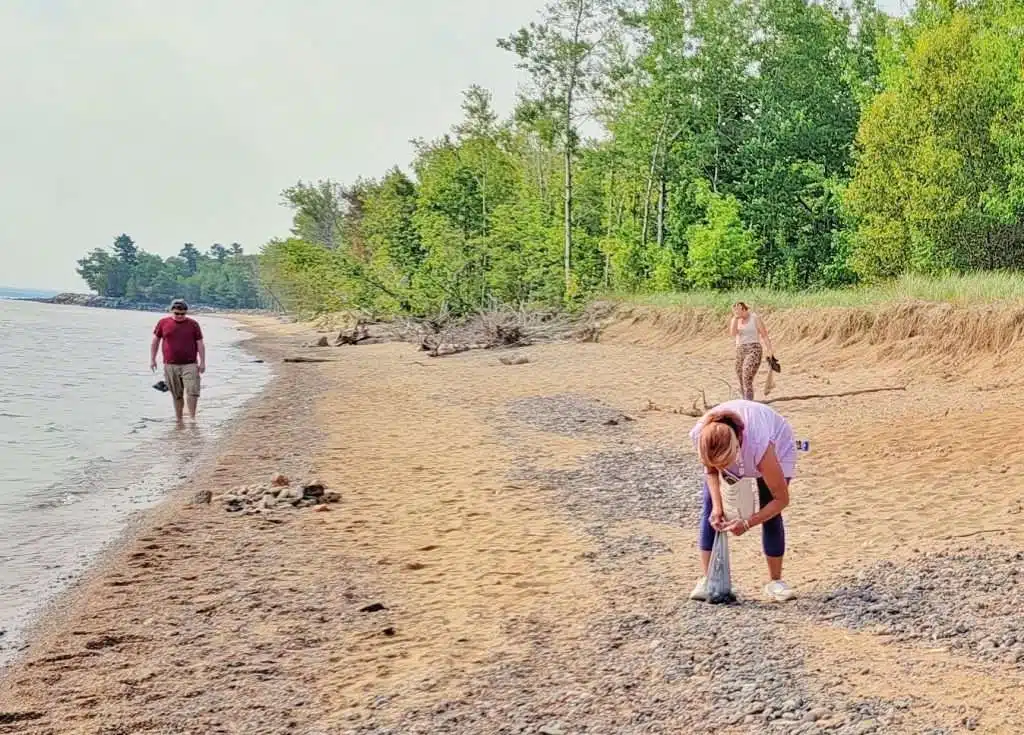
x=86, y=442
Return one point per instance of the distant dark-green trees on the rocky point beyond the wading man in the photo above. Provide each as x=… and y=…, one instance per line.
x=223, y=277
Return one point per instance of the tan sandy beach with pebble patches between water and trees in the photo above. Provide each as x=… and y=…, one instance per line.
x=515, y=545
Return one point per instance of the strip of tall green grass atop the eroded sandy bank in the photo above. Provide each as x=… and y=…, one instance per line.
x=963, y=290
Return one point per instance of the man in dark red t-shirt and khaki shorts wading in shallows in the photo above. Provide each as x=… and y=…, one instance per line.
x=185, y=357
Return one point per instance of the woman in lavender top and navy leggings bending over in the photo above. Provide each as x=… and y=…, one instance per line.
x=747, y=440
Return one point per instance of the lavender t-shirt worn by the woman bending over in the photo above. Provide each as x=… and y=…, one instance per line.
x=763, y=426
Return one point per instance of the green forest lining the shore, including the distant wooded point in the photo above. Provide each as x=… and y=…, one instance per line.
x=675, y=147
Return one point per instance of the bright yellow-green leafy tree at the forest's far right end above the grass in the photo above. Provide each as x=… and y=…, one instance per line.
x=933, y=187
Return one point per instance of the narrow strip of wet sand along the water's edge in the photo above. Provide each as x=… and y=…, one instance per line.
x=50, y=614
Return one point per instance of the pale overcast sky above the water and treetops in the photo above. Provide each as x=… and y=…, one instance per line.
x=183, y=121
